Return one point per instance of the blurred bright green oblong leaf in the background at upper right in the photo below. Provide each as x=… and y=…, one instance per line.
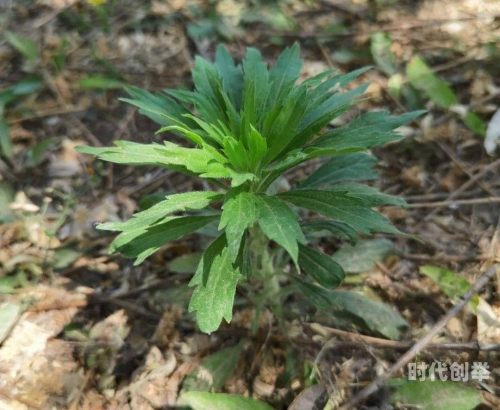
x=422, y=78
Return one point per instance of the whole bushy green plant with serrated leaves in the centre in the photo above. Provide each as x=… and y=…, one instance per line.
x=251, y=126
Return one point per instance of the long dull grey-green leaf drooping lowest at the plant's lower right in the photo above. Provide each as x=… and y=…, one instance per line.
x=354, y=308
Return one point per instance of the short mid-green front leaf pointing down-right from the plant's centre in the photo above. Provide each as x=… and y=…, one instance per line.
x=279, y=223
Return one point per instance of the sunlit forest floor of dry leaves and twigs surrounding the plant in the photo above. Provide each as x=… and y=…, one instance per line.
x=83, y=329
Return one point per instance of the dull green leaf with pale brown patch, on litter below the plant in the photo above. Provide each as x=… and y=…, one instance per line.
x=214, y=370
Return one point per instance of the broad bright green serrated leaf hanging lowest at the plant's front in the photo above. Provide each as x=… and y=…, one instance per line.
x=215, y=282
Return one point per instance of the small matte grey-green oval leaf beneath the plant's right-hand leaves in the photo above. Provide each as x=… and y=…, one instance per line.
x=362, y=257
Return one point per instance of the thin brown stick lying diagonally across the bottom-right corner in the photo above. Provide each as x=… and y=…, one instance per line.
x=421, y=344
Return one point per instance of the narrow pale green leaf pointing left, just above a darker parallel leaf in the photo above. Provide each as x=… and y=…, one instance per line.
x=172, y=203
